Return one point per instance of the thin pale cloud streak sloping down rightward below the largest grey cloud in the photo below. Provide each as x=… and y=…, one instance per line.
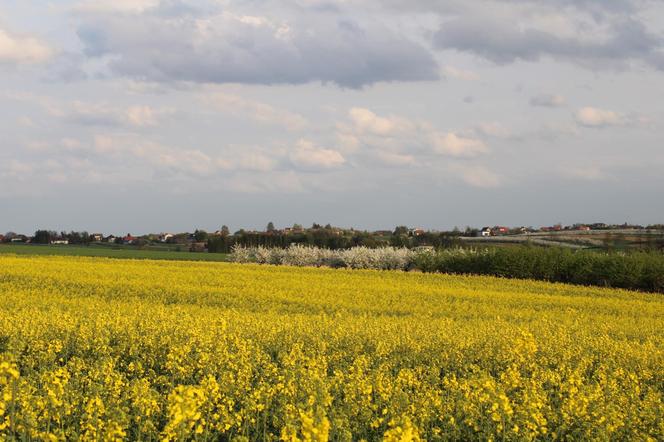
x=257, y=111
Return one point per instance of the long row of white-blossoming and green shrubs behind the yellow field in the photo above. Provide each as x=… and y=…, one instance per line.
x=639, y=271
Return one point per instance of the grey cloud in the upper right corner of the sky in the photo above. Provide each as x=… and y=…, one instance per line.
x=602, y=38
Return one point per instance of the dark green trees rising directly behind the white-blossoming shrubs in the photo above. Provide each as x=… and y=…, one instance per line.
x=334, y=239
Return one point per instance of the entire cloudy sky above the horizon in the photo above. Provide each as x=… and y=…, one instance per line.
x=170, y=115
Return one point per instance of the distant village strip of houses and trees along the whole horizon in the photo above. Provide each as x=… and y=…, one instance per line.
x=200, y=239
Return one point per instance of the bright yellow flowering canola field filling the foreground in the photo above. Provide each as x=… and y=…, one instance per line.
x=99, y=349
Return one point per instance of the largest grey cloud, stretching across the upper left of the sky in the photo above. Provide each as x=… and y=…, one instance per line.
x=228, y=47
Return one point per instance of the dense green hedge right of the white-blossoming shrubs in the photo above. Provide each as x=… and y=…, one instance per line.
x=636, y=270
